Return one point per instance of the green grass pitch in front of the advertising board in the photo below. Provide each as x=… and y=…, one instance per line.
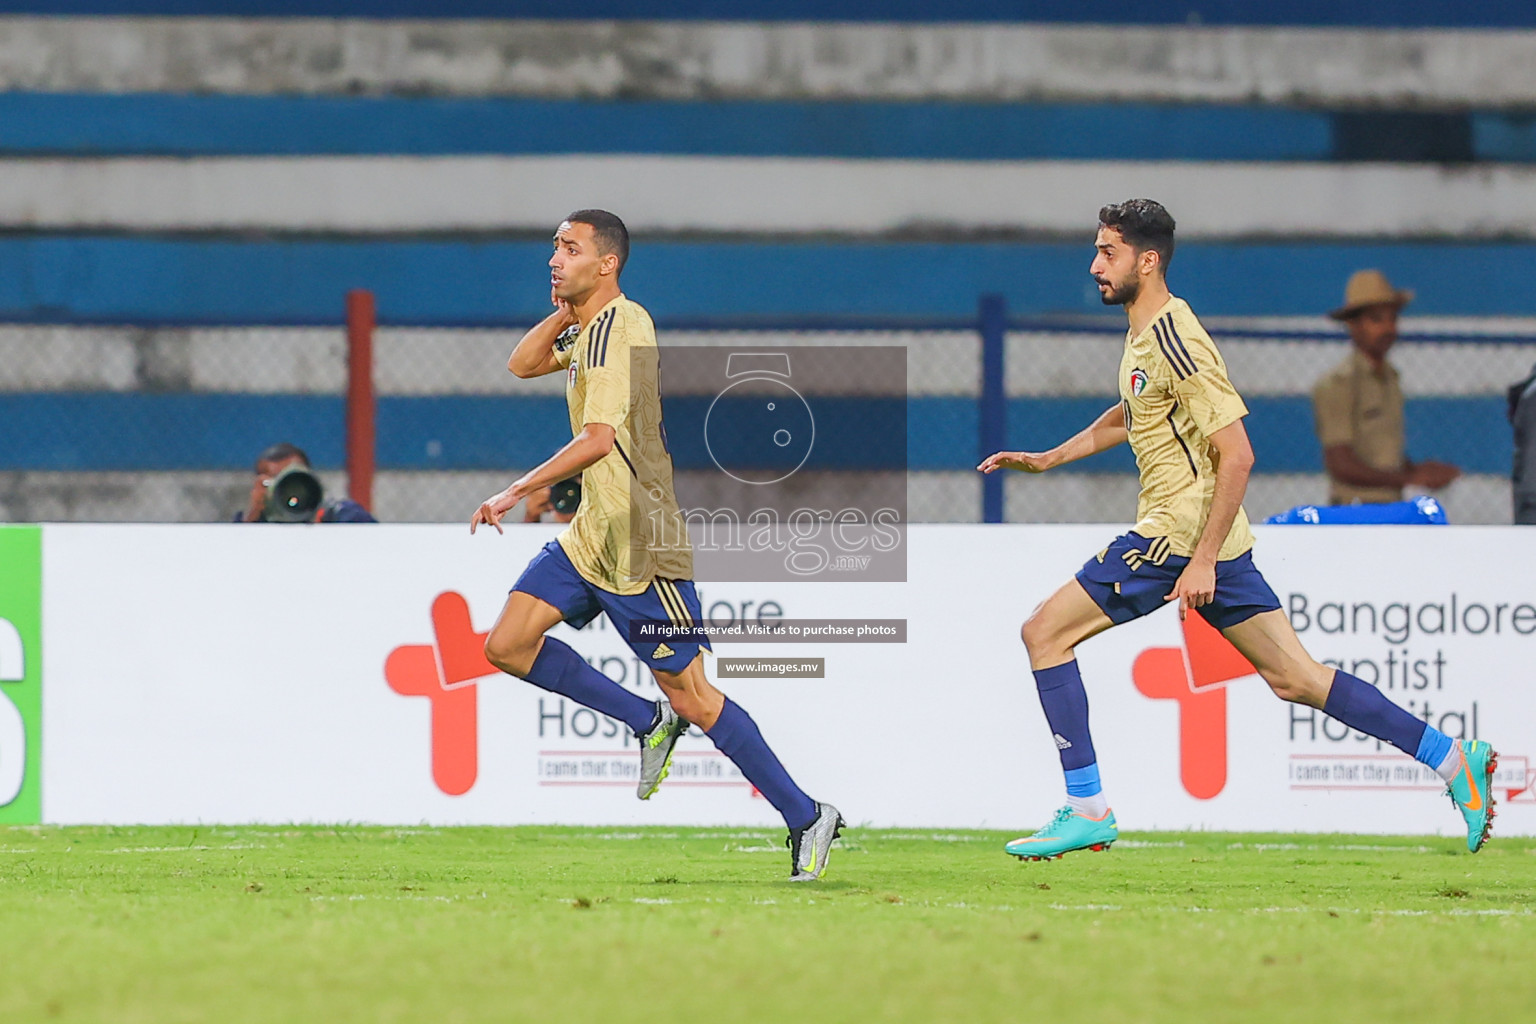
x=167, y=925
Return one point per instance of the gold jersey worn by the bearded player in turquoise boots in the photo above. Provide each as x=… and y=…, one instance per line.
x=1176, y=394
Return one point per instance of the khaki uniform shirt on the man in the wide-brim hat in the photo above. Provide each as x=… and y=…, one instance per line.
x=1359, y=408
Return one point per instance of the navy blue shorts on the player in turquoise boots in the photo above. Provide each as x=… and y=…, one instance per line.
x=1133, y=578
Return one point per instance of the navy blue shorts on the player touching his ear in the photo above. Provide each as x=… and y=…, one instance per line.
x=552, y=578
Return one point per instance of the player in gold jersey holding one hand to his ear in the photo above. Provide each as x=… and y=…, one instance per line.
x=626, y=553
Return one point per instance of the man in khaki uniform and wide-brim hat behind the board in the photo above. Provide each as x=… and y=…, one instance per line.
x=1359, y=406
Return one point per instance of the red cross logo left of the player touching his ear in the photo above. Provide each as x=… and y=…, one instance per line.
x=446, y=675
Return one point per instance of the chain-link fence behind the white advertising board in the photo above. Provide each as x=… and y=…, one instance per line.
x=164, y=424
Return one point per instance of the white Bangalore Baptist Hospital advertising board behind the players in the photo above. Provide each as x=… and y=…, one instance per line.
x=243, y=675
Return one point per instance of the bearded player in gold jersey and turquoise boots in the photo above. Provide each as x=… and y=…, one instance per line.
x=1191, y=547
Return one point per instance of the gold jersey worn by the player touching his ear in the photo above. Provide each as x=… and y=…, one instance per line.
x=627, y=529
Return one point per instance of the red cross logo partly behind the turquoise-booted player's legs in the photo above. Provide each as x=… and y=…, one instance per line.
x=1197, y=678
